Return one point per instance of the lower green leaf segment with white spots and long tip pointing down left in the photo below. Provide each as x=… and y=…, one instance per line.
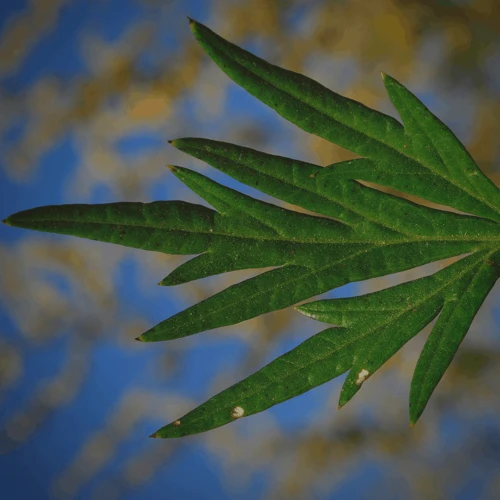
x=362, y=321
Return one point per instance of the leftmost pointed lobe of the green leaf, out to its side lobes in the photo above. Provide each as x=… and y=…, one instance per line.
x=173, y=227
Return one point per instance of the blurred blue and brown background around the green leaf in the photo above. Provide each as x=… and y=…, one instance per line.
x=90, y=92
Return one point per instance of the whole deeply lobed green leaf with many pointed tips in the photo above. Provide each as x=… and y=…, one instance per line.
x=362, y=233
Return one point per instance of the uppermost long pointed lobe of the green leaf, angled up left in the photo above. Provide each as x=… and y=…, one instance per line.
x=305, y=102
